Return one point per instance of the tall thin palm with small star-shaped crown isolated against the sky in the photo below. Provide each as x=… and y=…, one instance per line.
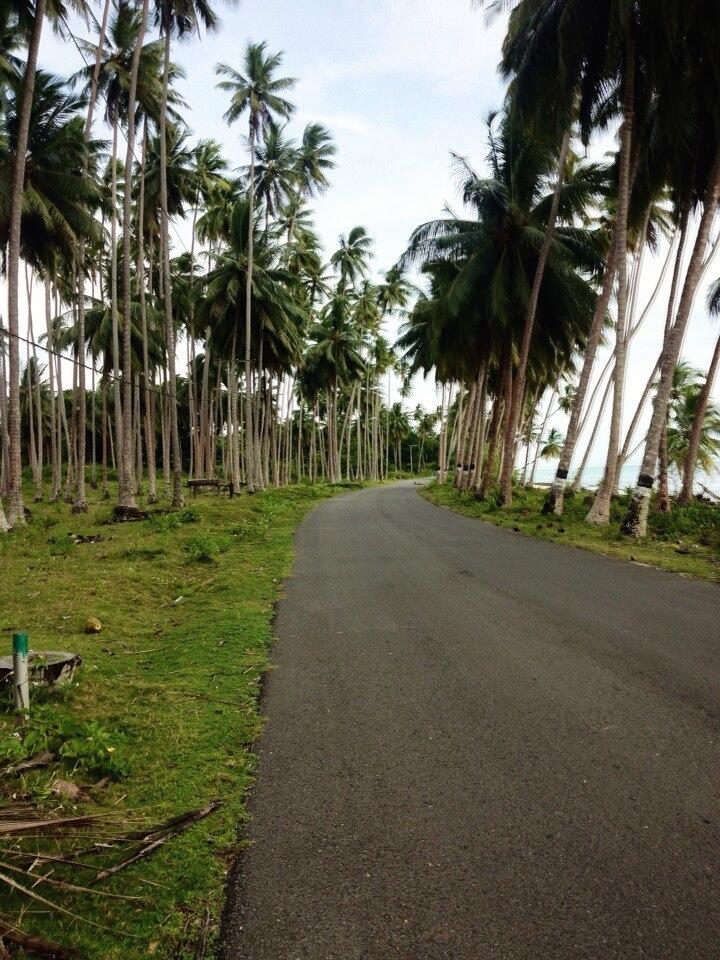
x=259, y=92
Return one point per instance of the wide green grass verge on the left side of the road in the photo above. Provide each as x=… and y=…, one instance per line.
x=165, y=702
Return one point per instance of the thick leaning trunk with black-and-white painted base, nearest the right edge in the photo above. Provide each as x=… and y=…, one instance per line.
x=635, y=522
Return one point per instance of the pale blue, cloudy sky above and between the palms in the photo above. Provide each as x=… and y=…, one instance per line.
x=400, y=83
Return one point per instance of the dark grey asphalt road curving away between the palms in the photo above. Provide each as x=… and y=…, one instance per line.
x=481, y=746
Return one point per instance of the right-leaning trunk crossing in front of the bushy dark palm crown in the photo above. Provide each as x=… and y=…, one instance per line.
x=515, y=401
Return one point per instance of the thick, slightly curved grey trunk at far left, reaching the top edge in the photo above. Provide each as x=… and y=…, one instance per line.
x=16, y=507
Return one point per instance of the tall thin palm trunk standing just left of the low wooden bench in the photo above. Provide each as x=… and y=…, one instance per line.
x=176, y=464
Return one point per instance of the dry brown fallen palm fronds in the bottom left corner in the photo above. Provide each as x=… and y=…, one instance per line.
x=53, y=850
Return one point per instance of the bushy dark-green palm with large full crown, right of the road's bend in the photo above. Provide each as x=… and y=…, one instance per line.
x=477, y=317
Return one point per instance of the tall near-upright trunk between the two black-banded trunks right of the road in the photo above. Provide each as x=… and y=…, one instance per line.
x=600, y=511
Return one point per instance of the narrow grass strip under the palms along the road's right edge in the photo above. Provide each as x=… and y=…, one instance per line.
x=686, y=540
